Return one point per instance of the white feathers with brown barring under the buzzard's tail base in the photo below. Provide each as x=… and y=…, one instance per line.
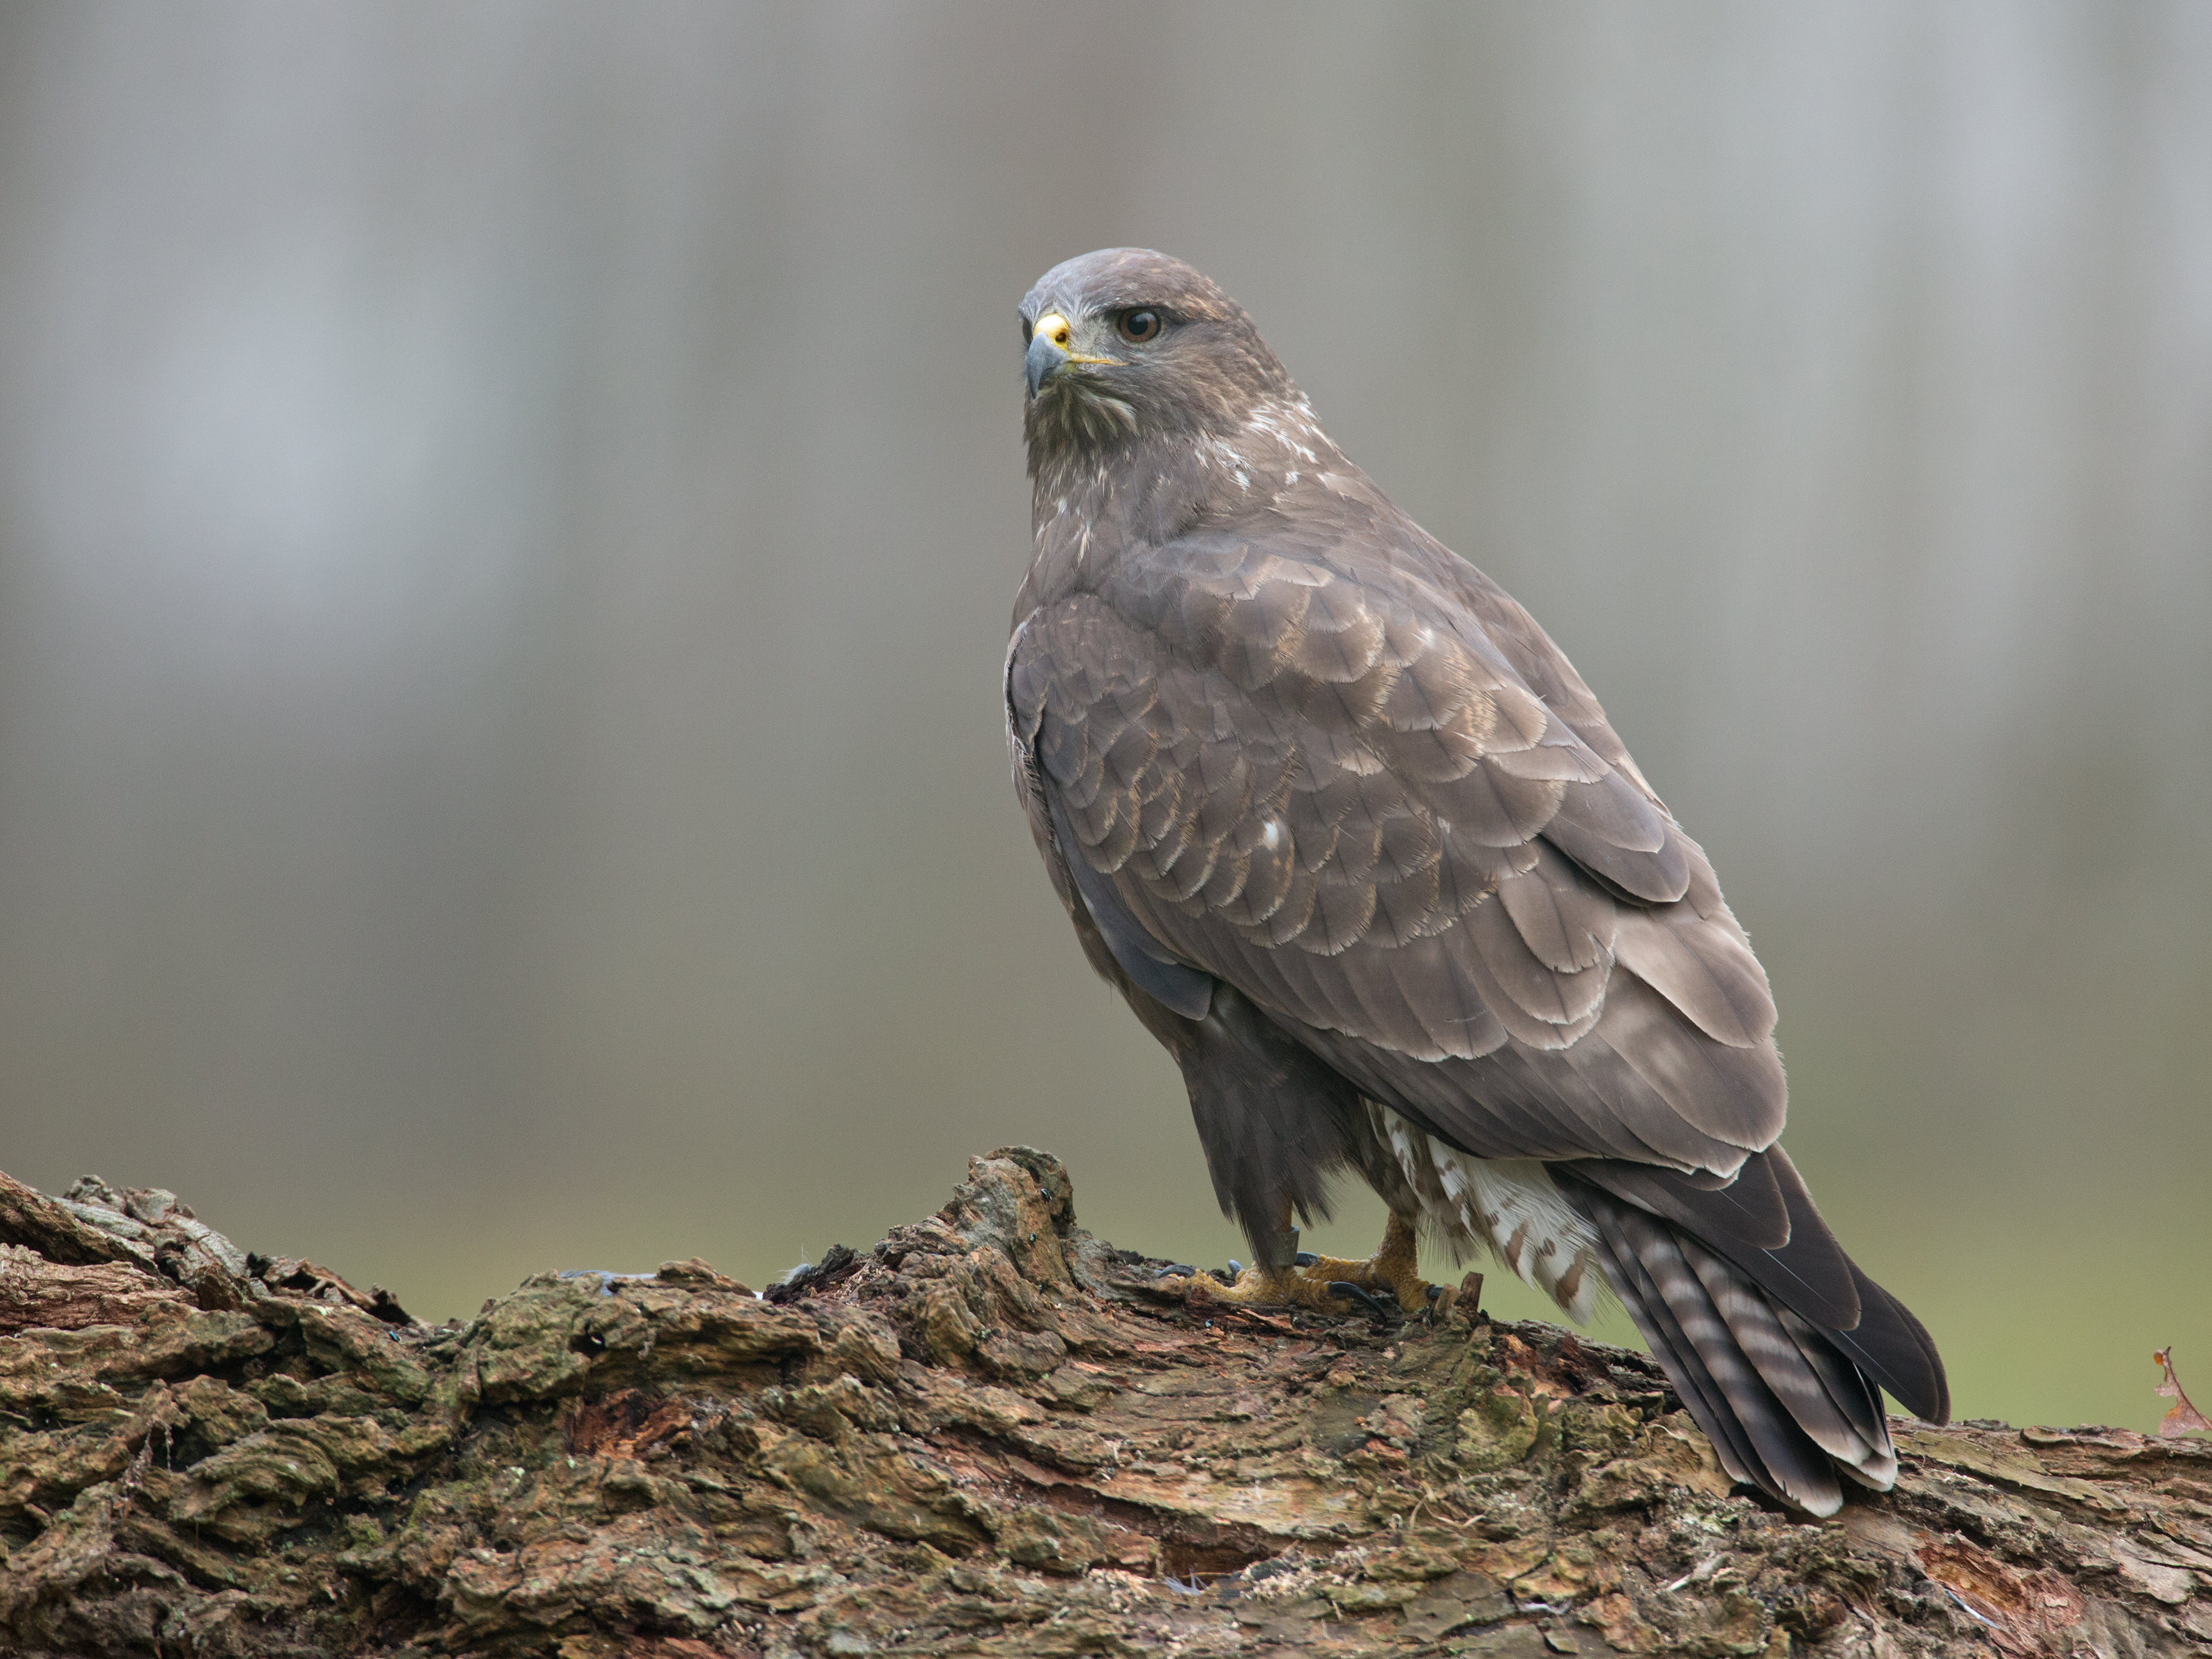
x=1507, y=1207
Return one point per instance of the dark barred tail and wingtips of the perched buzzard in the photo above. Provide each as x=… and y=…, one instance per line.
x=1775, y=1339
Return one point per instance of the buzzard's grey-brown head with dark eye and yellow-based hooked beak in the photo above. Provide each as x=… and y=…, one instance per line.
x=1127, y=344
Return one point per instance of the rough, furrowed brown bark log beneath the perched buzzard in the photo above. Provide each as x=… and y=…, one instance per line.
x=977, y=1439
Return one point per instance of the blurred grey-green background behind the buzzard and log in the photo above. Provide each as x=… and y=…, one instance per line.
x=510, y=512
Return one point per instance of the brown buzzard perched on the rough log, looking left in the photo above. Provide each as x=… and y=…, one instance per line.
x=1361, y=851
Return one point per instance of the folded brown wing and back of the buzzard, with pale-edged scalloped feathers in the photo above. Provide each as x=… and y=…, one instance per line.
x=1331, y=780
